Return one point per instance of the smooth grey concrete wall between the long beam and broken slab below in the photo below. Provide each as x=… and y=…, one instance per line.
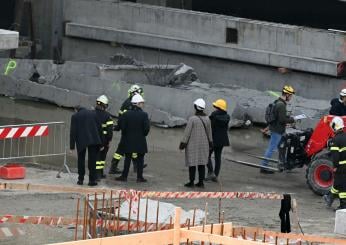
x=217, y=72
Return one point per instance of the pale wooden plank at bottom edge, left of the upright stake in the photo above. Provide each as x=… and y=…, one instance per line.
x=157, y=237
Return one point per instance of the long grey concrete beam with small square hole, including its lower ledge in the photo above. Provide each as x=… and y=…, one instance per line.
x=298, y=48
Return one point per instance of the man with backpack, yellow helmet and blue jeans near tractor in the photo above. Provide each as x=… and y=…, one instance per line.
x=276, y=117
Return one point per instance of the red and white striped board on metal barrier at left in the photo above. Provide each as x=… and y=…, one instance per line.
x=23, y=132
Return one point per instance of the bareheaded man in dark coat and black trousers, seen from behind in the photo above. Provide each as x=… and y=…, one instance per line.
x=85, y=134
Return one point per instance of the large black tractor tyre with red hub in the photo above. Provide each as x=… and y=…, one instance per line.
x=320, y=176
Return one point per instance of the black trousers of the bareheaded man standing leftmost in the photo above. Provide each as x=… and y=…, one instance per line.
x=93, y=151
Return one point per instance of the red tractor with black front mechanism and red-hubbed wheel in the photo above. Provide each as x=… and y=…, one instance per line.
x=309, y=148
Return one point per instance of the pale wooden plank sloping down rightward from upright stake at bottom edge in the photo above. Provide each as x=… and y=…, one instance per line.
x=212, y=238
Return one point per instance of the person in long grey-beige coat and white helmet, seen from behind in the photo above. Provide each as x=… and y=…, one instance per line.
x=197, y=141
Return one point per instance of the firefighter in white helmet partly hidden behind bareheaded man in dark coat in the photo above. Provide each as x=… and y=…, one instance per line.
x=105, y=120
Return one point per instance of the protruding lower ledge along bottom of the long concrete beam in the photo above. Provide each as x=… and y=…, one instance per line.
x=320, y=66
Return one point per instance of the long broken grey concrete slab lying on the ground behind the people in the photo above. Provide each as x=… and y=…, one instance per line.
x=168, y=90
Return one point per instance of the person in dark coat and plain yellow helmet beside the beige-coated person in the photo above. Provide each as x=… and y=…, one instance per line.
x=219, y=125
